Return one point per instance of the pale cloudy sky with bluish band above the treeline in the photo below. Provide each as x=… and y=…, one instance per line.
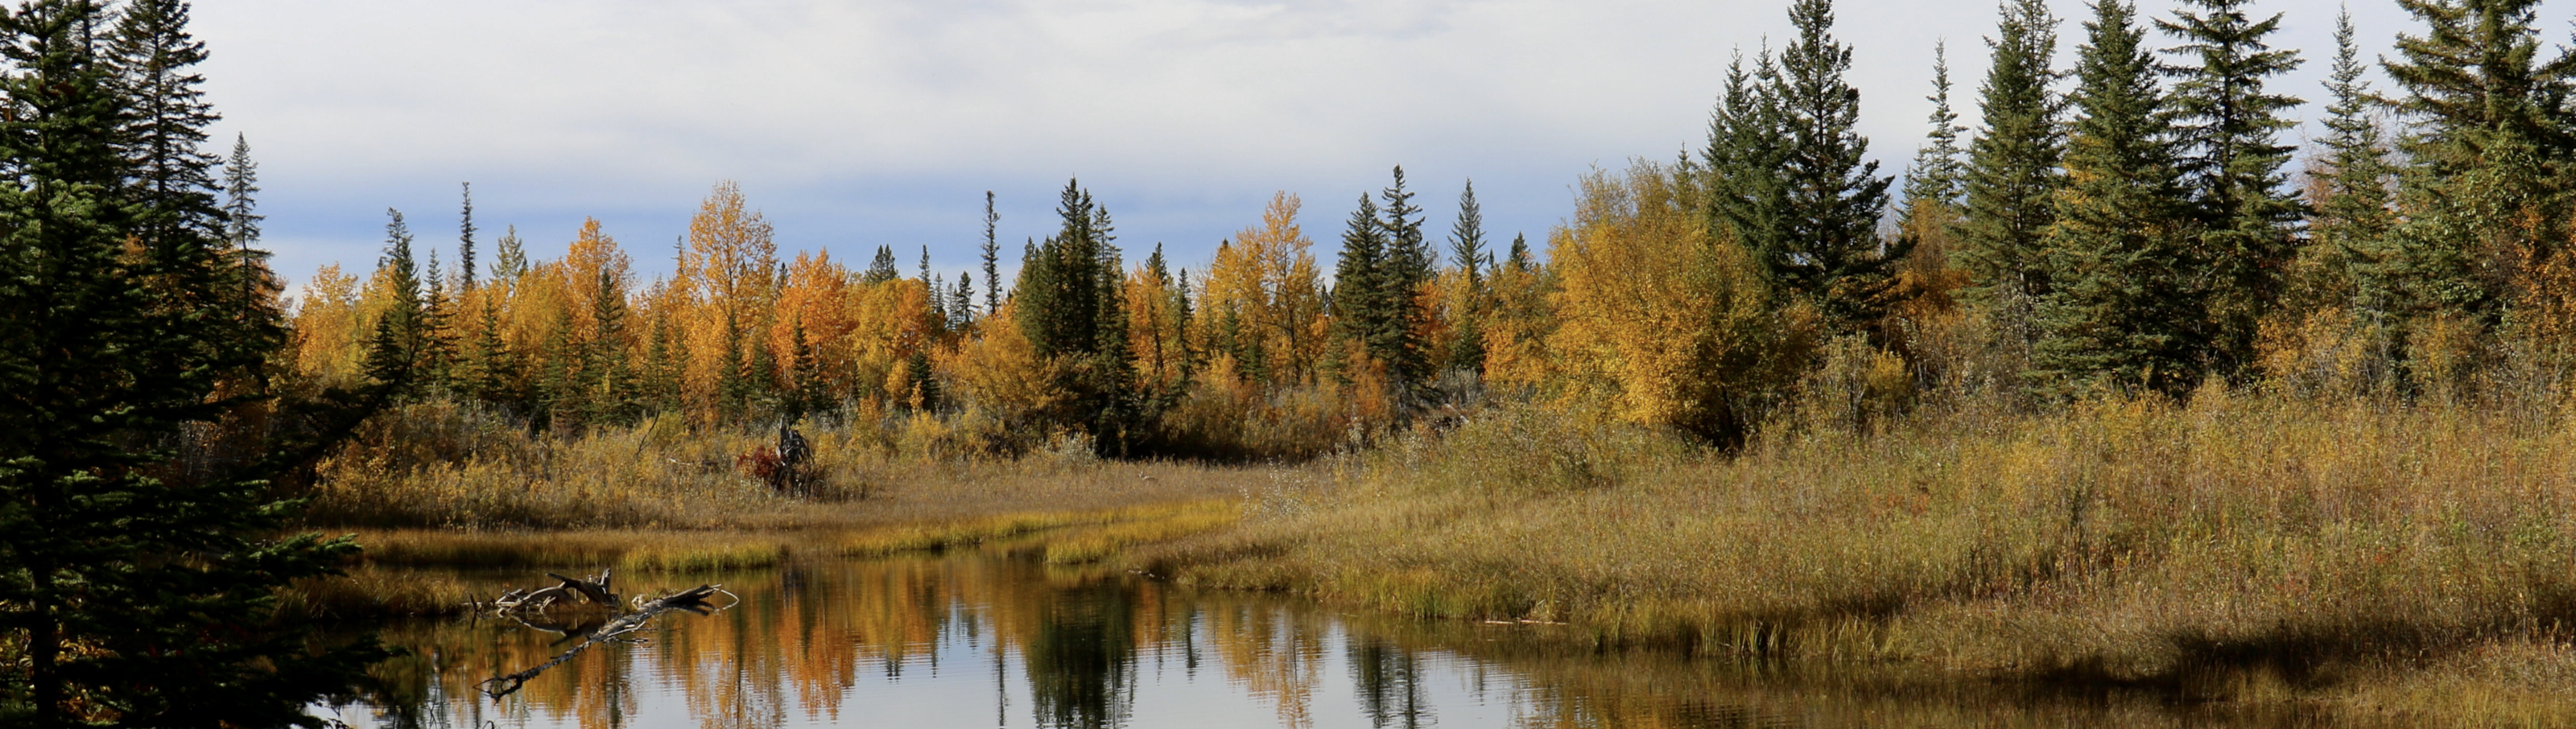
x=862, y=125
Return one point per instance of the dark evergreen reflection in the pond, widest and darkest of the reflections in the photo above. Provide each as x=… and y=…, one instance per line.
x=1083, y=656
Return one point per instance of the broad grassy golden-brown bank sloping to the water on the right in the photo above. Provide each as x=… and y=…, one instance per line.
x=2116, y=542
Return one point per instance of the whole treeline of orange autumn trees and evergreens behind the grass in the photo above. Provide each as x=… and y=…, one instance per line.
x=2126, y=223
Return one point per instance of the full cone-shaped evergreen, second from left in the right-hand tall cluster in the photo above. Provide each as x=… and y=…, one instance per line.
x=2124, y=310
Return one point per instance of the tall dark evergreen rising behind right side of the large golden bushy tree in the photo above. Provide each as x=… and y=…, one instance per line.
x=1828, y=246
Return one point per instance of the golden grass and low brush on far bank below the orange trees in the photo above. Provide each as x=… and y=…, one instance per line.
x=457, y=468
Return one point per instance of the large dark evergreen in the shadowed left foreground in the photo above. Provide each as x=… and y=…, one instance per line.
x=138, y=442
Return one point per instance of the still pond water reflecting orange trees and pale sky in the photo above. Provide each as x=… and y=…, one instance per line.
x=1001, y=640
